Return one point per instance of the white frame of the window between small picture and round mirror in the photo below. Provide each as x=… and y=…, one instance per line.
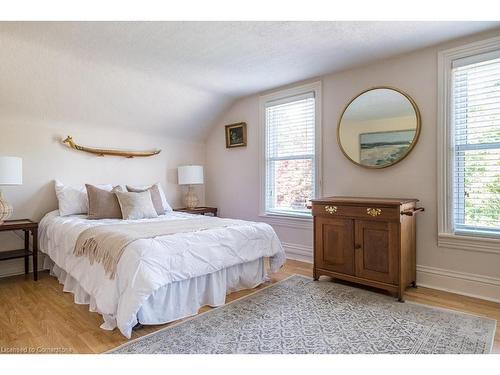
x=316, y=88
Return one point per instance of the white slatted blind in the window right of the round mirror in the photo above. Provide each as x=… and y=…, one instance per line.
x=476, y=120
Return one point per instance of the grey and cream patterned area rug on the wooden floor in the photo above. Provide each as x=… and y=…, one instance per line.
x=298, y=315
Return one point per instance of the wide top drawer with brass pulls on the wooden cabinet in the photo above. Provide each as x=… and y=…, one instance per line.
x=359, y=212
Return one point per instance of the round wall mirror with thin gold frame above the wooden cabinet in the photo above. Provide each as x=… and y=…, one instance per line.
x=379, y=127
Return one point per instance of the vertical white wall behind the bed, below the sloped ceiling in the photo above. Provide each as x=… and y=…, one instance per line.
x=45, y=159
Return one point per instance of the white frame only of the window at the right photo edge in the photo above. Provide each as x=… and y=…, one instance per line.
x=448, y=236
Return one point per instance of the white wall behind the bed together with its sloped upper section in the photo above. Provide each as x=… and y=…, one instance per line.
x=47, y=94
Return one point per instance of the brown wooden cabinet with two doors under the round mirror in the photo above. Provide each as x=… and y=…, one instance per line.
x=366, y=240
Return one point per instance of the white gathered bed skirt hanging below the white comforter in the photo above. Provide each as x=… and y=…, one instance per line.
x=174, y=301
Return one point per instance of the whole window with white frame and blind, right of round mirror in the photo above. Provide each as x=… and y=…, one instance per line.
x=469, y=147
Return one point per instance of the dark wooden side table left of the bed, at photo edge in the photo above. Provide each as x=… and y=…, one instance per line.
x=27, y=226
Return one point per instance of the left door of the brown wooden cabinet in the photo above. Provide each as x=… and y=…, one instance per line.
x=334, y=244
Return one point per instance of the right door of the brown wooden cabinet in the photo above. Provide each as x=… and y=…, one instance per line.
x=377, y=246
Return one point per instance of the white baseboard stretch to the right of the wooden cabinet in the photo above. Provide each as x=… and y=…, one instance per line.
x=467, y=284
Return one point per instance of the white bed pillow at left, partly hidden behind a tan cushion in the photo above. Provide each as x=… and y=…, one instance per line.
x=73, y=200
